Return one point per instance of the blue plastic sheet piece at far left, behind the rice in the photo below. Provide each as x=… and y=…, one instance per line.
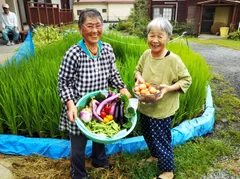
x=25, y=50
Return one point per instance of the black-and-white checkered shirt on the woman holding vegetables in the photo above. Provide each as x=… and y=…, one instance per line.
x=80, y=74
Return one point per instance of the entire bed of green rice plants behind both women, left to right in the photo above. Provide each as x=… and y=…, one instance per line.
x=32, y=107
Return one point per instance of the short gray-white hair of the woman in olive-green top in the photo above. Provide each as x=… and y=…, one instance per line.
x=161, y=23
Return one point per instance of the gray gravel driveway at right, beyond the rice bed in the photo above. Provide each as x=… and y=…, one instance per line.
x=225, y=61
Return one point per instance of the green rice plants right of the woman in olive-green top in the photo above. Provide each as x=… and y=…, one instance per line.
x=192, y=103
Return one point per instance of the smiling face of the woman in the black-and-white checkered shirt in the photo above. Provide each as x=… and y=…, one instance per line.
x=91, y=30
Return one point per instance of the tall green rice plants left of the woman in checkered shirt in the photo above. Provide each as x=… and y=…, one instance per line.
x=33, y=107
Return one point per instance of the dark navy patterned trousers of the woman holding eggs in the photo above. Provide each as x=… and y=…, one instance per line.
x=157, y=134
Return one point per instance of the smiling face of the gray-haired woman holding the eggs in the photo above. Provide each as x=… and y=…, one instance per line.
x=157, y=40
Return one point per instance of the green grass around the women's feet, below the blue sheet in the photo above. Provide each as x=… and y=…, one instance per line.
x=193, y=159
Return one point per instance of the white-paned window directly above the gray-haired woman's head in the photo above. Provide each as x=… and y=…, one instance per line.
x=166, y=12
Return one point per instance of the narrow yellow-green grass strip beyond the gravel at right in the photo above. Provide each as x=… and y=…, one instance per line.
x=221, y=42
